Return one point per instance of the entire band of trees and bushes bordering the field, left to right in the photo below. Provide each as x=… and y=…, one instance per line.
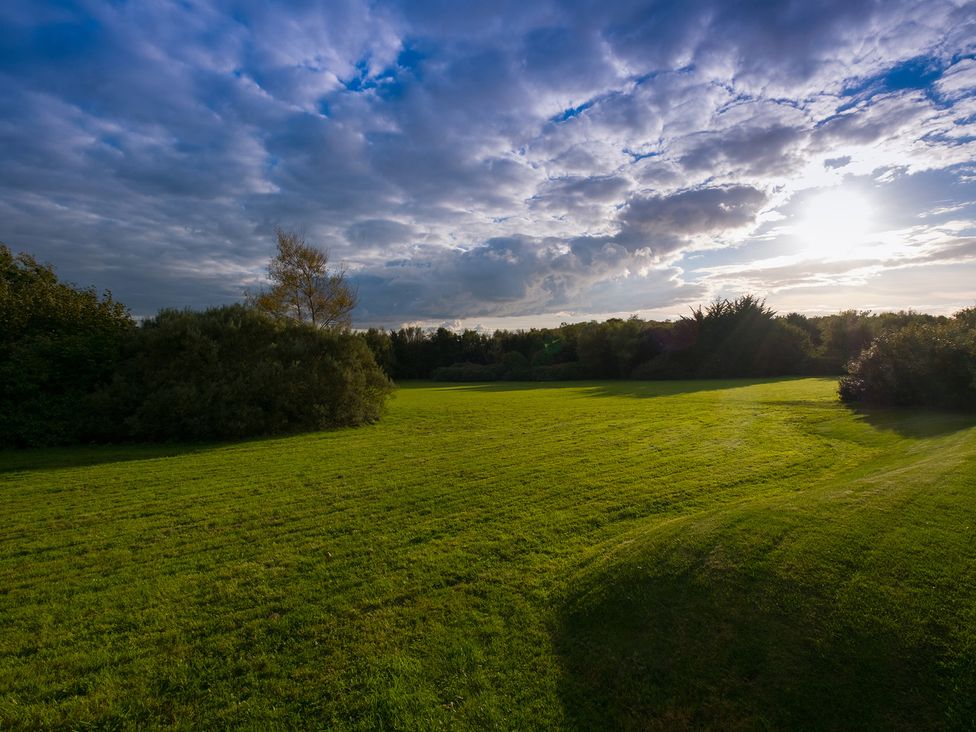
x=75, y=366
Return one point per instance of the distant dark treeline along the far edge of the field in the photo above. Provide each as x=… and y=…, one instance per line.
x=727, y=339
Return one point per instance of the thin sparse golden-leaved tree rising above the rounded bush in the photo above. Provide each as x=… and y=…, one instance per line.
x=303, y=287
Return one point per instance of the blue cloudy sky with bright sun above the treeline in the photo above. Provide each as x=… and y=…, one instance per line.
x=503, y=164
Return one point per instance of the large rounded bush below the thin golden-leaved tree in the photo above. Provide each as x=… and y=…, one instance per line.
x=231, y=372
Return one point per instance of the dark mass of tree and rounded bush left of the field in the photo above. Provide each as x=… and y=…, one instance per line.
x=75, y=367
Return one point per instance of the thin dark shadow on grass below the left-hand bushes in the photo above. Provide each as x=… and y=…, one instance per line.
x=54, y=458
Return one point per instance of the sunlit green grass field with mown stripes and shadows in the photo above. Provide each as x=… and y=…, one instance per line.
x=594, y=555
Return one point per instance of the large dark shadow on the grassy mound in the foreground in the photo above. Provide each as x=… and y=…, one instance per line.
x=690, y=651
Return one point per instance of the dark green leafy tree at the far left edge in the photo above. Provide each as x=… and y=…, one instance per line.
x=58, y=344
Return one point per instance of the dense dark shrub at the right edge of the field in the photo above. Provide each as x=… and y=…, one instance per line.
x=926, y=364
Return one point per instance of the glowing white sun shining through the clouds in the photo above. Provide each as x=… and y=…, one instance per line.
x=835, y=224
